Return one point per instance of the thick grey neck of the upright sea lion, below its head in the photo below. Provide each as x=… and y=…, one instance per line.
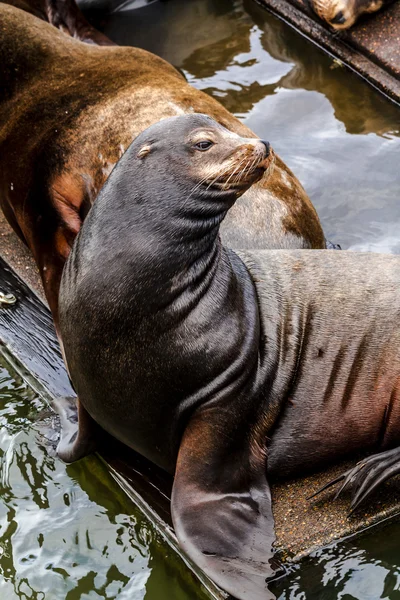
x=157, y=248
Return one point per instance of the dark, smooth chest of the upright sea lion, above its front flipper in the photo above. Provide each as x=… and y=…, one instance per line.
x=142, y=363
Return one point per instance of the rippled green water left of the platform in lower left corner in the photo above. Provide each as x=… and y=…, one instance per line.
x=70, y=533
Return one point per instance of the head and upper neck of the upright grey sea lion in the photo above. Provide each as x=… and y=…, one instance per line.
x=172, y=186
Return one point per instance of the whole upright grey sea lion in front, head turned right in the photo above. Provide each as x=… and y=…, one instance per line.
x=195, y=355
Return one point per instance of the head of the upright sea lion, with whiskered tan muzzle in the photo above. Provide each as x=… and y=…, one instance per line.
x=197, y=159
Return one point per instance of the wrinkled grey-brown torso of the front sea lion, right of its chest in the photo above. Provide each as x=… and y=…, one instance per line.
x=332, y=327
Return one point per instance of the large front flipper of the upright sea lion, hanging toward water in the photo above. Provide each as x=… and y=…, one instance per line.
x=222, y=513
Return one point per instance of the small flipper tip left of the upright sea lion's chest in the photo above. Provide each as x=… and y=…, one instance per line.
x=79, y=433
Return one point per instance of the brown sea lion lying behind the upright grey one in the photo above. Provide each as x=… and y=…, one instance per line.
x=95, y=100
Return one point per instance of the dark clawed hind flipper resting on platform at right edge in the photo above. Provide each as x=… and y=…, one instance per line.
x=367, y=476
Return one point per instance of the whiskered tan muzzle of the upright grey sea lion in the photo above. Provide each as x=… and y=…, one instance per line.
x=244, y=167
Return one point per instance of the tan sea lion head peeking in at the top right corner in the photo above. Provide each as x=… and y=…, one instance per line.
x=342, y=14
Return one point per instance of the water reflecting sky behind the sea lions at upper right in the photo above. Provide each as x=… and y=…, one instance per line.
x=339, y=135
